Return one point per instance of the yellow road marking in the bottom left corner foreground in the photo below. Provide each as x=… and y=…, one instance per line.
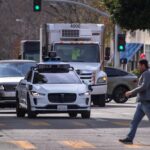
x=24, y=144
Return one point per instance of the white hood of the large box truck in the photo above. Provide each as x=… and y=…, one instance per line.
x=85, y=66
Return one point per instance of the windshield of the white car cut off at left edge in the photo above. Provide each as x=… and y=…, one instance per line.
x=15, y=69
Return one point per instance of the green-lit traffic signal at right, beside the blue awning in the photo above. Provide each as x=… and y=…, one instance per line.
x=121, y=42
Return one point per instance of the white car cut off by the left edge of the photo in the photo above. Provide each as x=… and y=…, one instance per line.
x=11, y=72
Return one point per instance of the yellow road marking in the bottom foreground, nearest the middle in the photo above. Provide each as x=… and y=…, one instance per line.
x=79, y=144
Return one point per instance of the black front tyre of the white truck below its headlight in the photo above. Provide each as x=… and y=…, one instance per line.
x=99, y=100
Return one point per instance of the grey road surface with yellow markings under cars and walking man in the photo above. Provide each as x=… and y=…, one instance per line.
x=59, y=132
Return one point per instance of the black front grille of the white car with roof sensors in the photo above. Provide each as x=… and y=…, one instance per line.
x=62, y=97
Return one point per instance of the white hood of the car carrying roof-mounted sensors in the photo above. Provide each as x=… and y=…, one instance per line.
x=61, y=88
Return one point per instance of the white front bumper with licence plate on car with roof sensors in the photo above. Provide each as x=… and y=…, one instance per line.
x=45, y=105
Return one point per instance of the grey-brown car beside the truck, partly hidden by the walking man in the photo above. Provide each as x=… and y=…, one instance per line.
x=119, y=82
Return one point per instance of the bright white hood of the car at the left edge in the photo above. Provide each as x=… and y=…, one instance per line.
x=10, y=79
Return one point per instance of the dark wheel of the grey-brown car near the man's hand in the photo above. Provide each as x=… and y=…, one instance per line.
x=119, y=94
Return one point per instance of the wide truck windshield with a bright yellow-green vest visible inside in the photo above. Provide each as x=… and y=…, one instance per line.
x=78, y=52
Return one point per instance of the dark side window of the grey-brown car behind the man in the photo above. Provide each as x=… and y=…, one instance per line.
x=113, y=72
